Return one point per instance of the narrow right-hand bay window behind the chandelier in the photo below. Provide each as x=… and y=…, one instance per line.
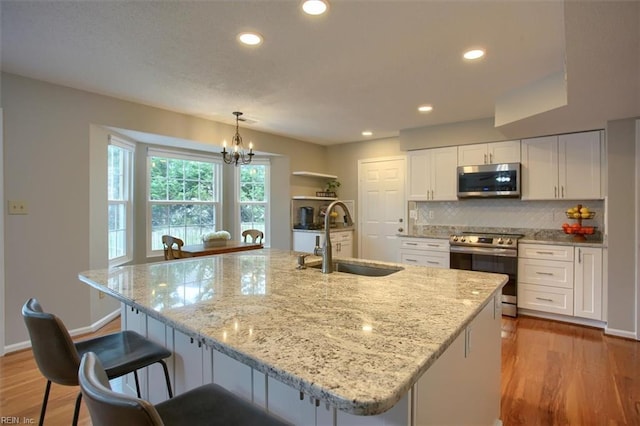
x=253, y=196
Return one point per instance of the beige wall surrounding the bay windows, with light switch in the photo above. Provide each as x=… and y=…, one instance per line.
x=54, y=160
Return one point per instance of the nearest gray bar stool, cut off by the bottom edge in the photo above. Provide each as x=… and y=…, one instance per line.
x=209, y=405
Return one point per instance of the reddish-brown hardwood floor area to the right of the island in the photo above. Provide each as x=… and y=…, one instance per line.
x=559, y=374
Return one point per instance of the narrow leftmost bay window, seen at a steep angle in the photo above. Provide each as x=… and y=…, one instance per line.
x=120, y=199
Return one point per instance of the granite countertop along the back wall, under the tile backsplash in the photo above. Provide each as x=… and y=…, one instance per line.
x=533, y=236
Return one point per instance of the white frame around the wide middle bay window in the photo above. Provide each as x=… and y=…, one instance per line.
x=179, y=155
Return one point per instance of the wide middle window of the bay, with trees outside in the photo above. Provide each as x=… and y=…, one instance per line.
x=184, y=198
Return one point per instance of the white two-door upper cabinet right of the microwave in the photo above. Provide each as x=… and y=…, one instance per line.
x=562, y=167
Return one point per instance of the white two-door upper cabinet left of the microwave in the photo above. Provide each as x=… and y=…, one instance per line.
x=432, y=174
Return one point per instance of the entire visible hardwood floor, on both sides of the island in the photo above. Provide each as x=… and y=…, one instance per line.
x=552, y=374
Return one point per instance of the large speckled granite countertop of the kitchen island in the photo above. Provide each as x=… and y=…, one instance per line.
x=356, y=342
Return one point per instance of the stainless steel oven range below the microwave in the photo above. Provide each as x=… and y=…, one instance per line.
x=489, y=253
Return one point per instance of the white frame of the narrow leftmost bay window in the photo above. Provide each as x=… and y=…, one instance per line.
x=129, y=148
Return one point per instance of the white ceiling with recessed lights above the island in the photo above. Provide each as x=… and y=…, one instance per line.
x=366, y=65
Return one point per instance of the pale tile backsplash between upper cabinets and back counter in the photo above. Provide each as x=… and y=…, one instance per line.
x=501, y=213
